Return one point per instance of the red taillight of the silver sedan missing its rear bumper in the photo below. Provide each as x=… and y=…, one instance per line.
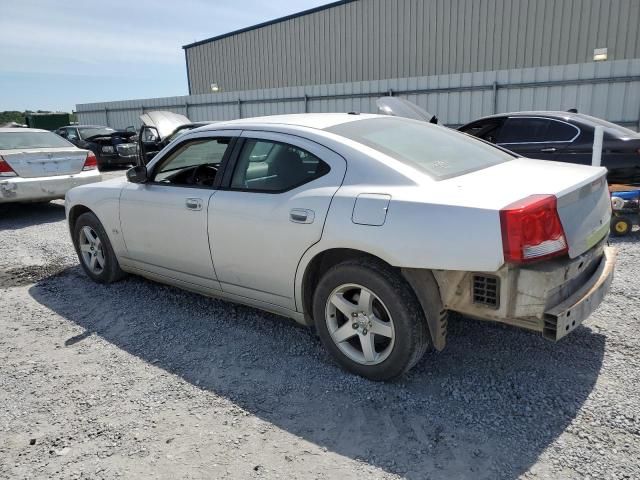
x=531, y=229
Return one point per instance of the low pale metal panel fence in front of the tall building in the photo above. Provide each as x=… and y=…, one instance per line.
x=456, y=99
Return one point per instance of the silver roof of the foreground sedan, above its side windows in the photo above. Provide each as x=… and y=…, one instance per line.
x=309, y=120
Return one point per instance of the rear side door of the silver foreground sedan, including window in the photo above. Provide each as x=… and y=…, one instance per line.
x=270, y=209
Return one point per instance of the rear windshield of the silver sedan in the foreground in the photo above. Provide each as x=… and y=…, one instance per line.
x=438, y=151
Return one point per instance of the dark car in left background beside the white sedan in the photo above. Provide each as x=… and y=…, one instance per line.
x=111, y=147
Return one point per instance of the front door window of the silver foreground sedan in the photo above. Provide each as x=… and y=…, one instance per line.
x=193, y=163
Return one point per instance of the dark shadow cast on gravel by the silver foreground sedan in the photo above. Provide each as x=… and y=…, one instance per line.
x=486, y=407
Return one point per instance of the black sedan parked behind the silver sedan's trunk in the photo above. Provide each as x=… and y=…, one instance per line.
x=564, y=137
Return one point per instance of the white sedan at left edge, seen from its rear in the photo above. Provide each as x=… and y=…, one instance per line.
x=38, y=165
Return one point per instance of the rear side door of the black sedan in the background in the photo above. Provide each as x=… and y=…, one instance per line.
x=537, y=137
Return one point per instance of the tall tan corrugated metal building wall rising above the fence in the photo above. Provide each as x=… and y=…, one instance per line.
x=382, y=39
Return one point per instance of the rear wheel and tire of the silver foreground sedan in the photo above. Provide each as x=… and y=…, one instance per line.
x=369, y=319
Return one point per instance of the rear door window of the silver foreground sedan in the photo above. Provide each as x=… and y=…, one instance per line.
x=269, y=166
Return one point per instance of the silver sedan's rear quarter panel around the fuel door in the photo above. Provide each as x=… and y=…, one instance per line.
x=416, y=234
